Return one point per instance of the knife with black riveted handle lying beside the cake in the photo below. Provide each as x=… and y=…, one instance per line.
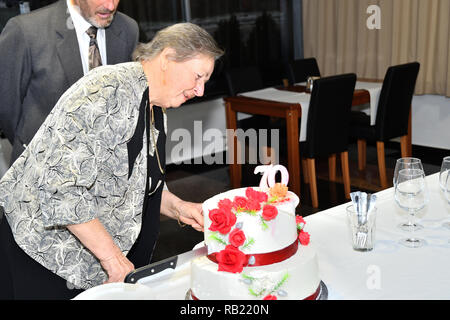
x=171, y=262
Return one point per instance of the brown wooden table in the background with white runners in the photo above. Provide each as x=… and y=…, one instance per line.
x=291, y=111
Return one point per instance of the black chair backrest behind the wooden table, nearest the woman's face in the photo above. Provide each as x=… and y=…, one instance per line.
x=243, y=80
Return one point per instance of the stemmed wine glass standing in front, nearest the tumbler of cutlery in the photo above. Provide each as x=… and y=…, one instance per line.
x=411, y=194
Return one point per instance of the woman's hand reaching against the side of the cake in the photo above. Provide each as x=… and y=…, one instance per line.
x=190, y=213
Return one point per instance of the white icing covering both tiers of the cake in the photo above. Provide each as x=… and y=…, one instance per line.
x=302, y=268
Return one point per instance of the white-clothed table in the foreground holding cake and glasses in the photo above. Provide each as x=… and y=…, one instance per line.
x=389, y=271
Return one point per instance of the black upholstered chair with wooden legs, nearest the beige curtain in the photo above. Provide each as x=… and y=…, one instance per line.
x=392, y=117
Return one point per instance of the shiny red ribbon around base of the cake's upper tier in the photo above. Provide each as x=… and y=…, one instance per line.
x=262, y=259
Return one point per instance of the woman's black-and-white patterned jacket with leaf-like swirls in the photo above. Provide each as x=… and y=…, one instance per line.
x=76, y=169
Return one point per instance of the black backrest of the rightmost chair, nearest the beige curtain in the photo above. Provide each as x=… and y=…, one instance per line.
x=395, y=101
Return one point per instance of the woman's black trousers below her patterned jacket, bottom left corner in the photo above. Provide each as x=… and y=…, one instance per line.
x=23, y=278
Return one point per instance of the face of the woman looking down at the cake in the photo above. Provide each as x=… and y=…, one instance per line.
x=185, y=80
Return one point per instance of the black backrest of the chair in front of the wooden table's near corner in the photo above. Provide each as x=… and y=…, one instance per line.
x=329, y=115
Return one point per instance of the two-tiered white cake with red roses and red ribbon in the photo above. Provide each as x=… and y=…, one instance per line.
x=258, y=248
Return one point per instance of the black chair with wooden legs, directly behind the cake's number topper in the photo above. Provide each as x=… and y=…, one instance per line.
x=328, y=129
